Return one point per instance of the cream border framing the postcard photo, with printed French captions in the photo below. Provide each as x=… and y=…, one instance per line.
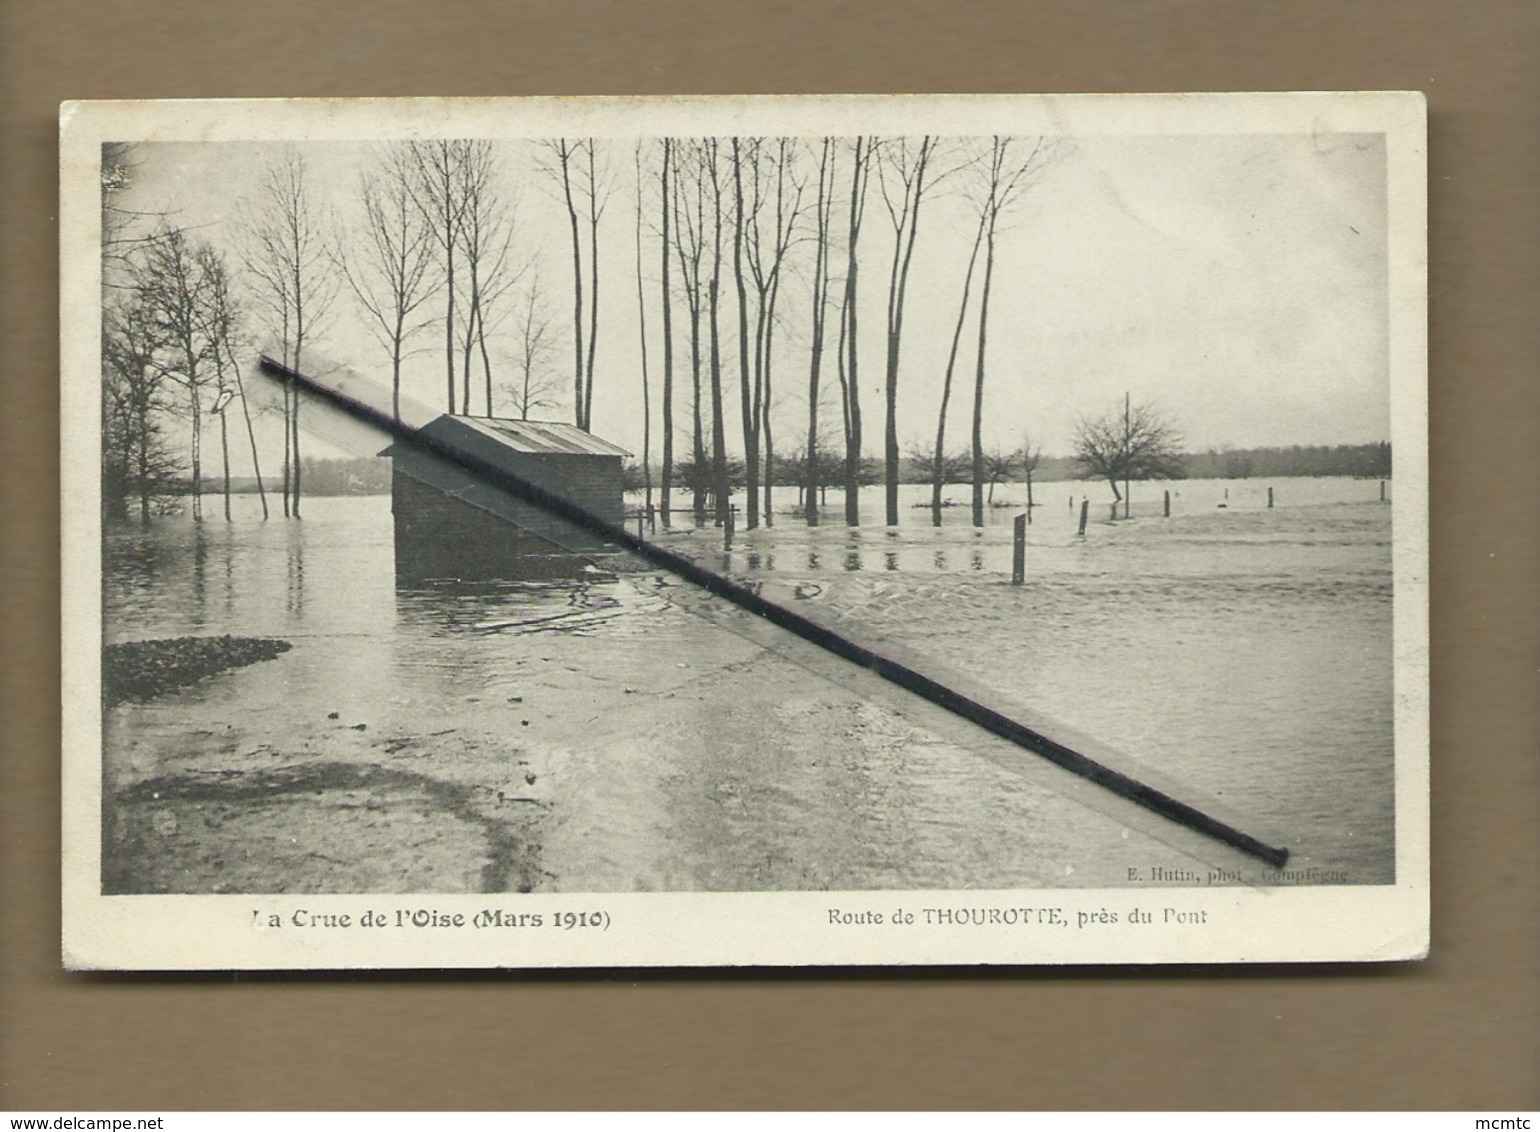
x=1190, y=925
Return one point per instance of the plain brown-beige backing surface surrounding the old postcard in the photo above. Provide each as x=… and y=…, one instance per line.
x=1459, y=1031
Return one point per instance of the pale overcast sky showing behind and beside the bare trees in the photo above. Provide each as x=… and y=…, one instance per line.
x=1239, y=283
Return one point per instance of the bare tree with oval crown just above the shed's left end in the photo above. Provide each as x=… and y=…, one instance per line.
x=392, y=269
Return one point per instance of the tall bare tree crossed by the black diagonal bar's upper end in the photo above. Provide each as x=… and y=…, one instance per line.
x=289, y=255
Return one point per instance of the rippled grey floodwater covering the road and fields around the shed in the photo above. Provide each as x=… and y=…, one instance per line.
x=628, y=734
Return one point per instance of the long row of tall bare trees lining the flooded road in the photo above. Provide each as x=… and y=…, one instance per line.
x=434, y=247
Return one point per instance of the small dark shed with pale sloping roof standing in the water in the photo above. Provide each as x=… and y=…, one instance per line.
x=452, y=526
